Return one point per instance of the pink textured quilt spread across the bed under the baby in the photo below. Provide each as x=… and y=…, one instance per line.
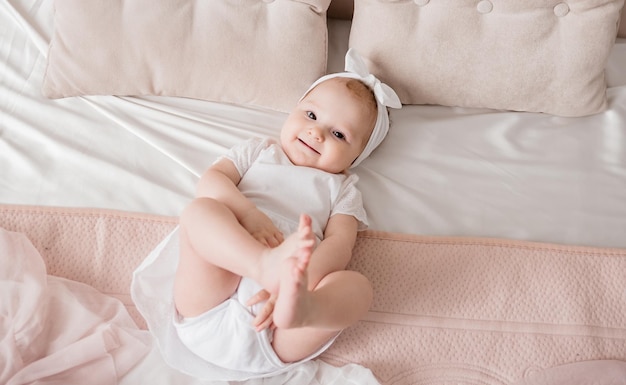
x=446, y=310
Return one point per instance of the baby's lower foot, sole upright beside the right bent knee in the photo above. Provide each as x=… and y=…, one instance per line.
x=292, y=302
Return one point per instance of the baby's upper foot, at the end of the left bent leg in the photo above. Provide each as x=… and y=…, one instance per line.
x=298, y=246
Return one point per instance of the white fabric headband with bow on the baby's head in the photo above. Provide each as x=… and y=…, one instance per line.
x=385, y=97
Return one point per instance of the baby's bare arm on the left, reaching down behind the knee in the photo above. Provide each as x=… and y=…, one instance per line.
x=220, y=183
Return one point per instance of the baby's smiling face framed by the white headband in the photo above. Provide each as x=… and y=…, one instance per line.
x=328, y=129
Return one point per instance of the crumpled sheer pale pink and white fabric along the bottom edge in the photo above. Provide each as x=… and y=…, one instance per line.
x=58, y=331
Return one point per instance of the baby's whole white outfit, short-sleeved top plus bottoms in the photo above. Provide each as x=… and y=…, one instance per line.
x=222, y=344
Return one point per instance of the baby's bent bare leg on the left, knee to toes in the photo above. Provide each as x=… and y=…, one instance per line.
x=216, y=251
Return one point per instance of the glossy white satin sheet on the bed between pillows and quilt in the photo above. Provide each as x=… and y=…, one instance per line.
x=441, y=171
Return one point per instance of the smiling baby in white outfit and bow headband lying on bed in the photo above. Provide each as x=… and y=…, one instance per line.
x=260, y=281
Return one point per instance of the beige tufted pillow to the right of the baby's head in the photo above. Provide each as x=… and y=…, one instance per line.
x=532, y=55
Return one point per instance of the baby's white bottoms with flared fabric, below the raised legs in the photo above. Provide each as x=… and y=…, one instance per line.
x=220, y=344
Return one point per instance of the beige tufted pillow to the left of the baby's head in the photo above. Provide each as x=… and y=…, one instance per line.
x=258, y=52
